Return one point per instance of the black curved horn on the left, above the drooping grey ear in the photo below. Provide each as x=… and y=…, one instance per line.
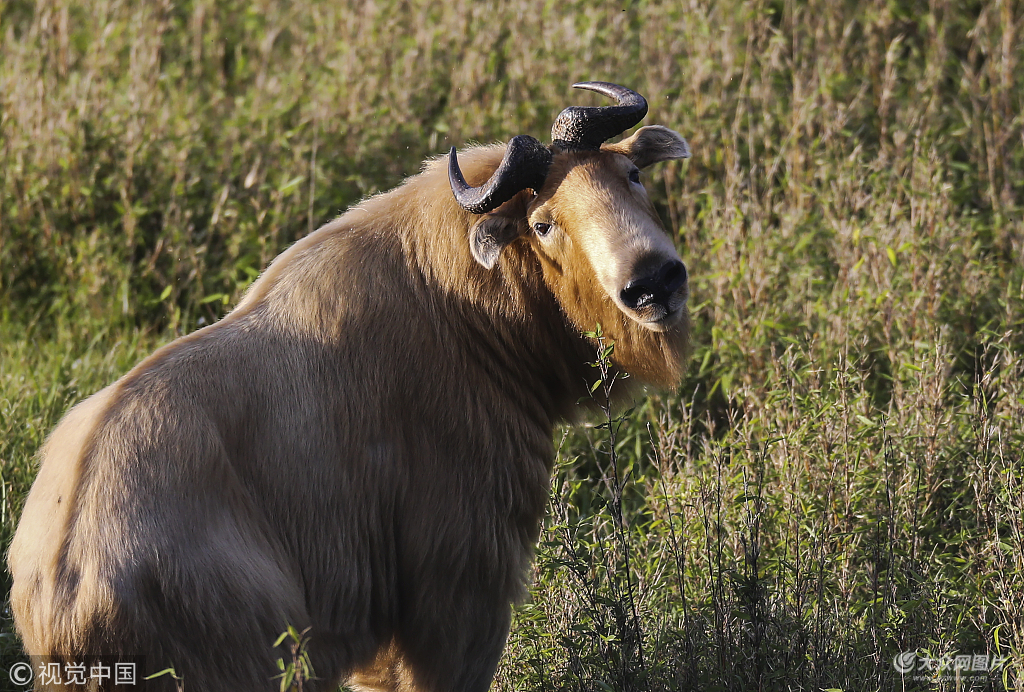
x=525, y=165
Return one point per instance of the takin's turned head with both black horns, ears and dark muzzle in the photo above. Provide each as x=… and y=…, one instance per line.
x=588, y=220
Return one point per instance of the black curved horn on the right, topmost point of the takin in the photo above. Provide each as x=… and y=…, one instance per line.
x=580, y=128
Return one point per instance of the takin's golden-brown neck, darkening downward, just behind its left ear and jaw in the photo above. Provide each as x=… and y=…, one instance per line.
x=505, y=320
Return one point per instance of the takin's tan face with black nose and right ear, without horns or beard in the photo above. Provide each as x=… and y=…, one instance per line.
x=600, y=240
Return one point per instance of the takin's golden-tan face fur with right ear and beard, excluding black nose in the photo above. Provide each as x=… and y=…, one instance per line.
x=606, y=232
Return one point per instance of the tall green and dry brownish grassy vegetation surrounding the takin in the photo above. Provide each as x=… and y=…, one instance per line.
x=839, y=480
